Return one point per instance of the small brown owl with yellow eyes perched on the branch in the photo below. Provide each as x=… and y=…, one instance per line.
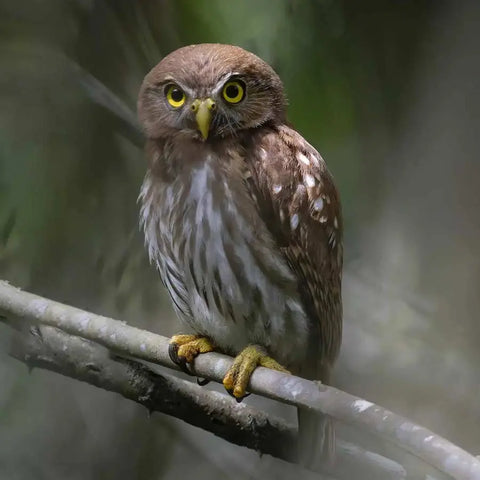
x=241, y=216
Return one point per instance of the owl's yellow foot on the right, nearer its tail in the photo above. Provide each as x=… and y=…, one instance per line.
x=237, y=378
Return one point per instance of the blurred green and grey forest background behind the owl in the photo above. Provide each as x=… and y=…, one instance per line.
x=388, y=93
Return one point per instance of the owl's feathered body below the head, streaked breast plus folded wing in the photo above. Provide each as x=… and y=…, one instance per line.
x=247, y=236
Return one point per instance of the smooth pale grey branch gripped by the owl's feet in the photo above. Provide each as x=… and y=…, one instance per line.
x=119, y=337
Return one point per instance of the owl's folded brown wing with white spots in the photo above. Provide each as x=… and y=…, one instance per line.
x=300, y=205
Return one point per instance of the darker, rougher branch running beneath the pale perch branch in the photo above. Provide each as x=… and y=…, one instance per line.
x=52, y=349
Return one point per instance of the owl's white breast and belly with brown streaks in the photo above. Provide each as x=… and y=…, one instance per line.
x=225, y=274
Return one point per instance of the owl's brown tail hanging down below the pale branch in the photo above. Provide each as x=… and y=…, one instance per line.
x=316, y=434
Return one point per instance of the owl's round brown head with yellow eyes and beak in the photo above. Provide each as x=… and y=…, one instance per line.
x=208, y=91
